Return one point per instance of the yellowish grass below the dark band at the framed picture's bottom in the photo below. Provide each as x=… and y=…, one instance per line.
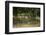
x=34, y=23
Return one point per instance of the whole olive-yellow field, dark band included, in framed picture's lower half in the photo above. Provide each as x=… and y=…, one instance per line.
x=27, y=23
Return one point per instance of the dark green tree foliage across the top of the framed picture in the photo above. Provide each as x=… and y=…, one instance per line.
x=26, y=11
